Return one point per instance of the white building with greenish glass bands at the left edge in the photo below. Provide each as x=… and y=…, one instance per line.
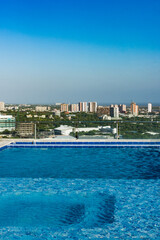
x=7, y=122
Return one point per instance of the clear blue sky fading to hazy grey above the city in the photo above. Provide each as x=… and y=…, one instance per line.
x=74, y=50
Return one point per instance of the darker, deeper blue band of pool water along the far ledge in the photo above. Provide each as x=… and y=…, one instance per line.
x=110, y=163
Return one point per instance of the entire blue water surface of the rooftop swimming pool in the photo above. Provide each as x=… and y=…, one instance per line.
x=80, y=193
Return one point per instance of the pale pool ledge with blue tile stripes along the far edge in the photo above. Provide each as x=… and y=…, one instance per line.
x=56, y=142
